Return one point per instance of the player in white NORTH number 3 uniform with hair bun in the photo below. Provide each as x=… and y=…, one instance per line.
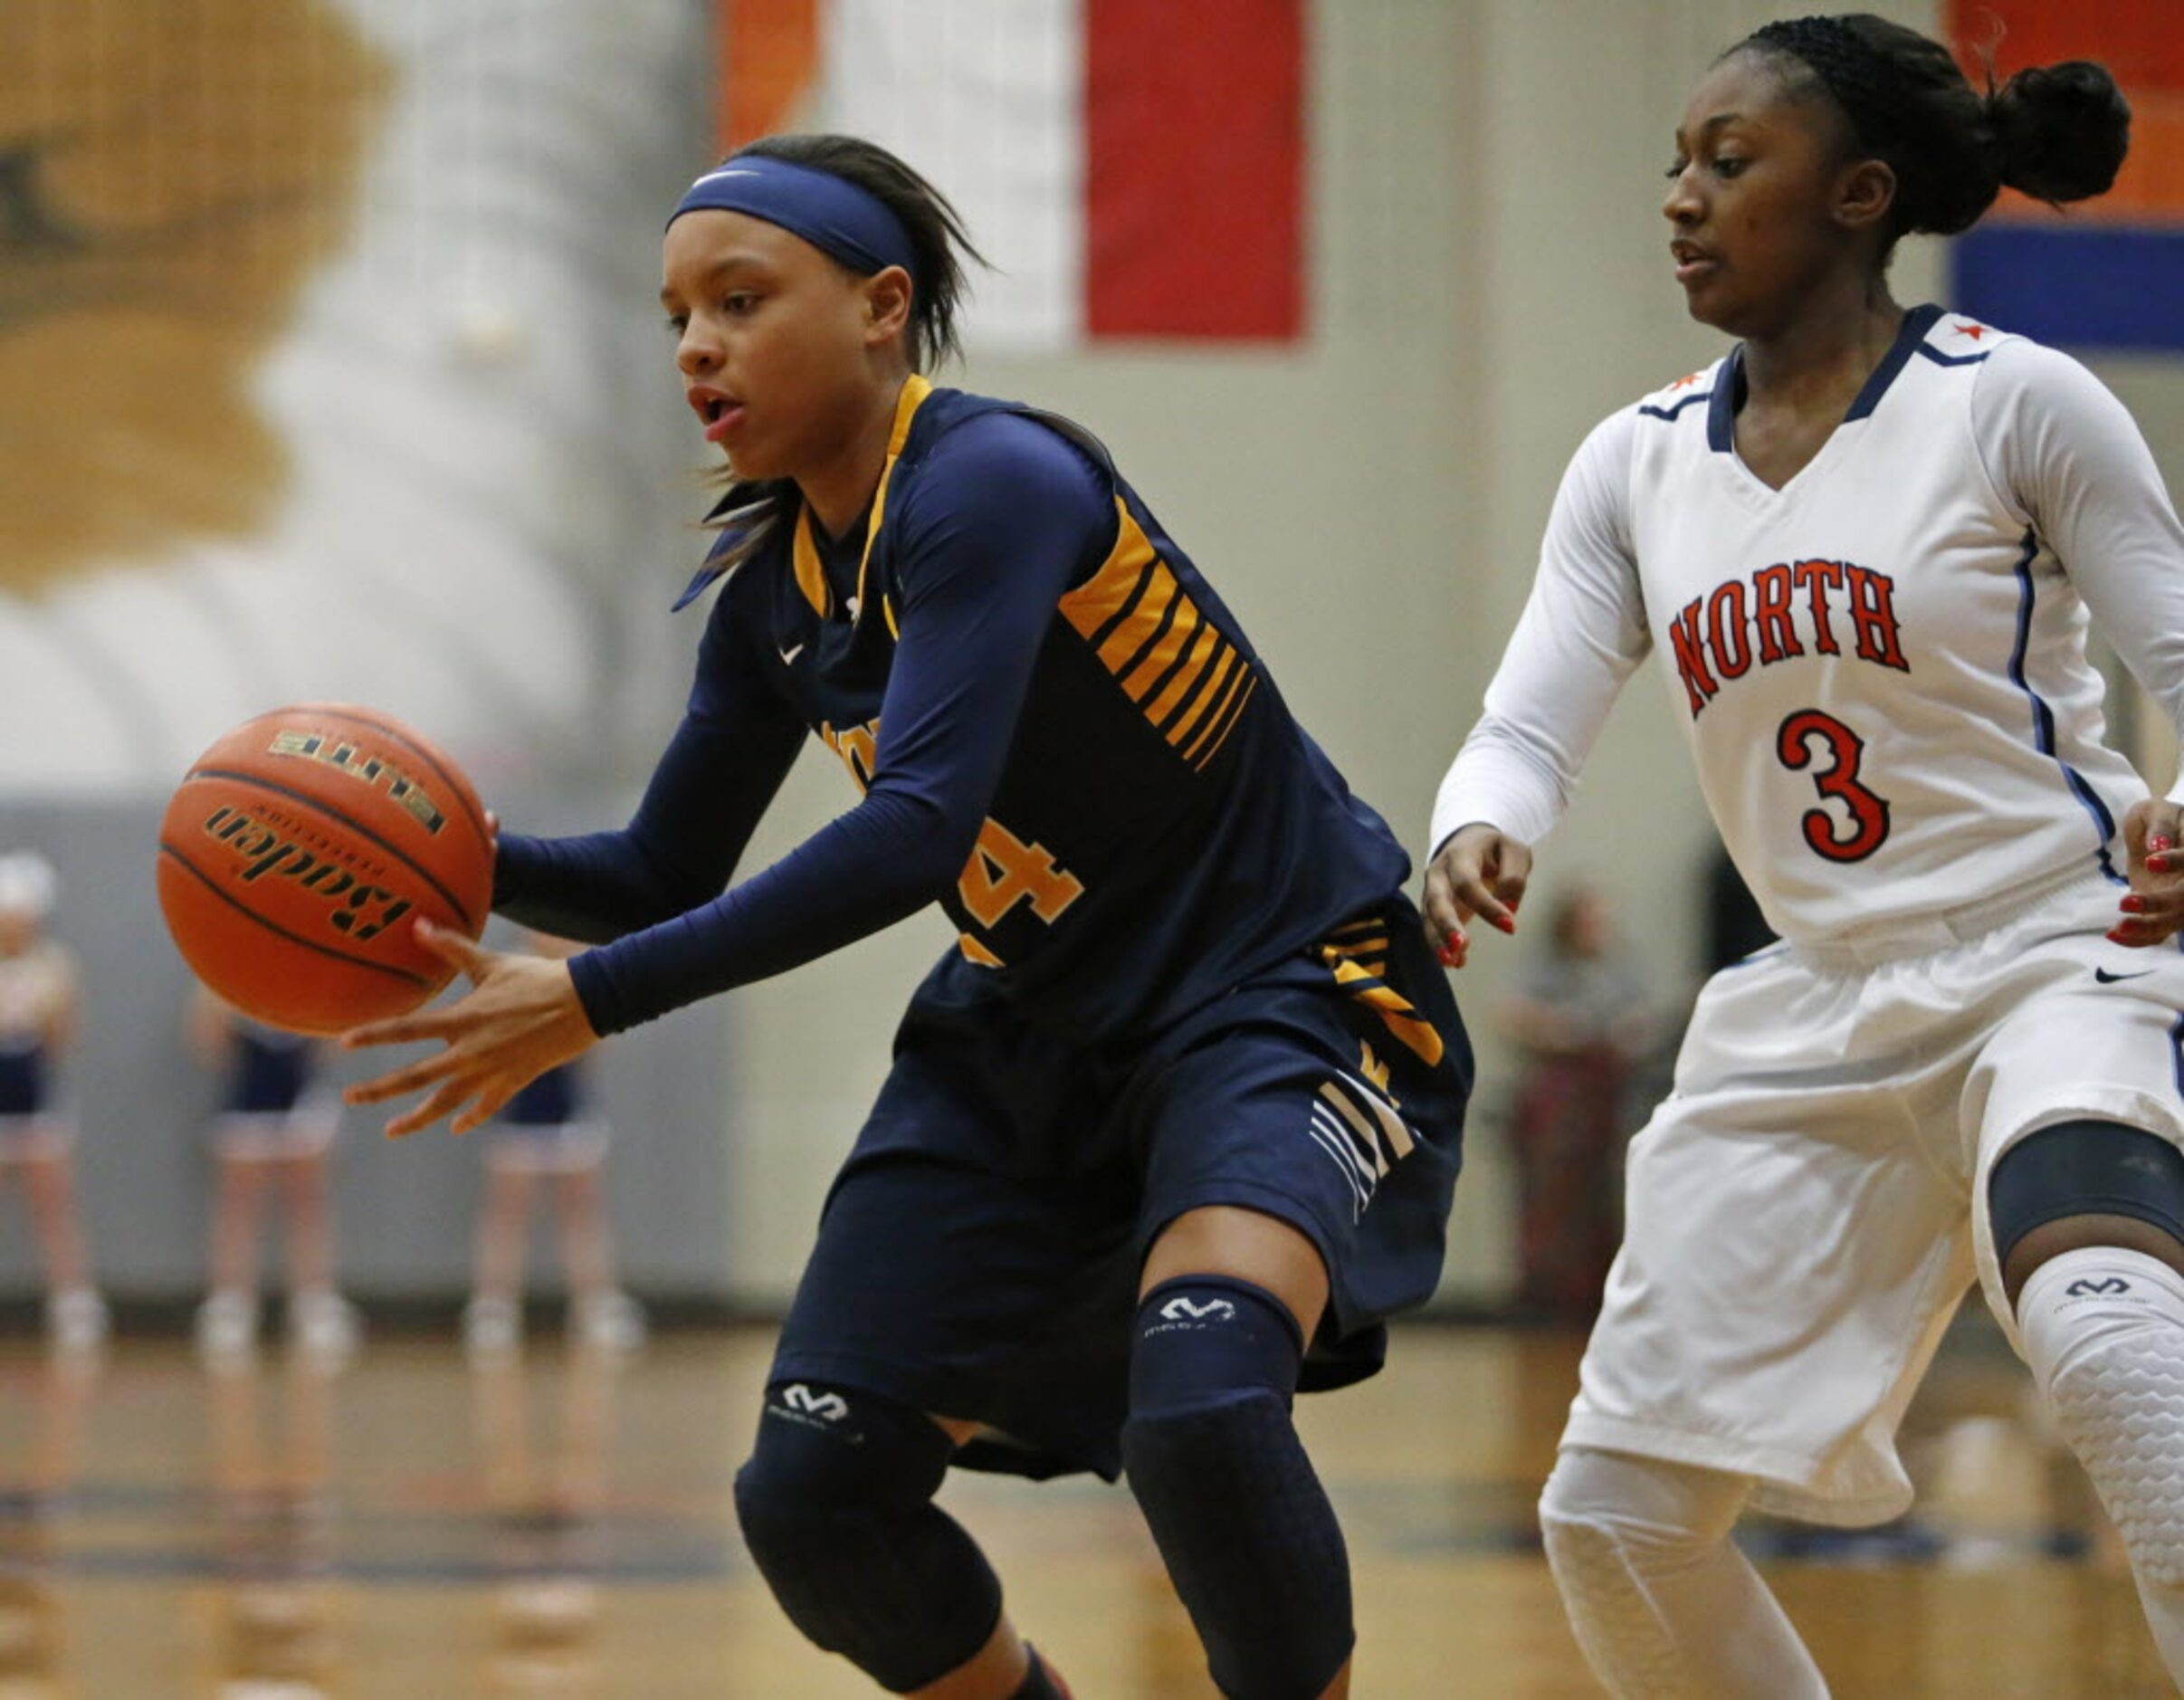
x=1866, y=552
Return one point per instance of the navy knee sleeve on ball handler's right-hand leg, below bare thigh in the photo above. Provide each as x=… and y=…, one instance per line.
x=1242, y=1522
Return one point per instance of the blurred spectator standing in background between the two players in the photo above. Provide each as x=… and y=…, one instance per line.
x=1582, y=1019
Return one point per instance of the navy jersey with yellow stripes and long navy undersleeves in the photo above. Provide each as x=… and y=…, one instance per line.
x=1060, y=735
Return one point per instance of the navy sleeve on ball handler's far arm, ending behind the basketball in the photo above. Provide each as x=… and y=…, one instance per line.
x=715, y=781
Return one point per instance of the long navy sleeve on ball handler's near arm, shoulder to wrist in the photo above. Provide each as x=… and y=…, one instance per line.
x=1004, y=521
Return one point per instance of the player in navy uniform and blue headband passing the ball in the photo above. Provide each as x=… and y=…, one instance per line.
x=1172, y=1129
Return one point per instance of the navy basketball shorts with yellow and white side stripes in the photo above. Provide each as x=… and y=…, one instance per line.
x=980, y=1251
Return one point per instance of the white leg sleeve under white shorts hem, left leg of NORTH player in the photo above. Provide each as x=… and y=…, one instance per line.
x=1659, y=1598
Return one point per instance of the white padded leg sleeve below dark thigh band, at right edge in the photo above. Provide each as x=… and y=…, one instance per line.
x=2104, y=1334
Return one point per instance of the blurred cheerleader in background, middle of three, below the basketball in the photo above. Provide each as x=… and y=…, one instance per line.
x=274, y=1131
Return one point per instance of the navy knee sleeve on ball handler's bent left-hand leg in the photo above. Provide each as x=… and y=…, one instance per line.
x=838, y=1511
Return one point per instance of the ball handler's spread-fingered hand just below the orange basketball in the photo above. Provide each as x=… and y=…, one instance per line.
x=519, y=1022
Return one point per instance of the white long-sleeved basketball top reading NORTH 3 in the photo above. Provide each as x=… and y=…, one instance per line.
x=1882, y=668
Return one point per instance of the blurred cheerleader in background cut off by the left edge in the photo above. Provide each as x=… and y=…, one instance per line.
x=40, y=1006
